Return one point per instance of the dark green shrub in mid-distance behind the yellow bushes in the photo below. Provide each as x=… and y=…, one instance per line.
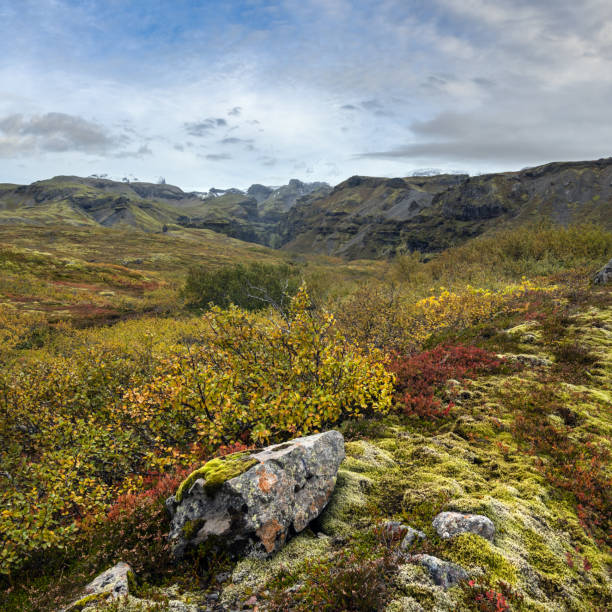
x=253, y=286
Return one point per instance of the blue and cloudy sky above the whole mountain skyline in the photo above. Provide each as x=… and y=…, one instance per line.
x=228, y=93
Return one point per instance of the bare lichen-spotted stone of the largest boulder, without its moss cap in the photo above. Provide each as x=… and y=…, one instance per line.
x=288, y=487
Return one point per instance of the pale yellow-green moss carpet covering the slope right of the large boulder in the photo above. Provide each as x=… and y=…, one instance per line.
x=474, y=464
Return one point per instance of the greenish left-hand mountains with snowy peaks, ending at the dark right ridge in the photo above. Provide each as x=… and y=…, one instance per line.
x=73, y=200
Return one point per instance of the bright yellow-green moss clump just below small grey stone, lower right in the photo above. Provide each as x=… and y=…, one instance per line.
x=470, y=550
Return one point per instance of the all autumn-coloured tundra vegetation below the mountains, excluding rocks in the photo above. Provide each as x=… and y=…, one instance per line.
x=476, y=381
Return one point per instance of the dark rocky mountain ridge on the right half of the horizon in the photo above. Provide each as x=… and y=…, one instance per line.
x=366, y=217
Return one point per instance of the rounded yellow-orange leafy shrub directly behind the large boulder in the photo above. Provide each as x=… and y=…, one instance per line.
x=267, y=378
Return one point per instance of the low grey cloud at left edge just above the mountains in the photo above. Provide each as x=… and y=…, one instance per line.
x=54, y=133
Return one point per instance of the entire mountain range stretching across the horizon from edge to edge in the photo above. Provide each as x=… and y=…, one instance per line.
x=362, y=217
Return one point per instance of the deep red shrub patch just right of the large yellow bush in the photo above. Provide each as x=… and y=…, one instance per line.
x=421, y=378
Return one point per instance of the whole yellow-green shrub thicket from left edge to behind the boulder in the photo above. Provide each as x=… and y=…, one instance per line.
x=80, y=428
